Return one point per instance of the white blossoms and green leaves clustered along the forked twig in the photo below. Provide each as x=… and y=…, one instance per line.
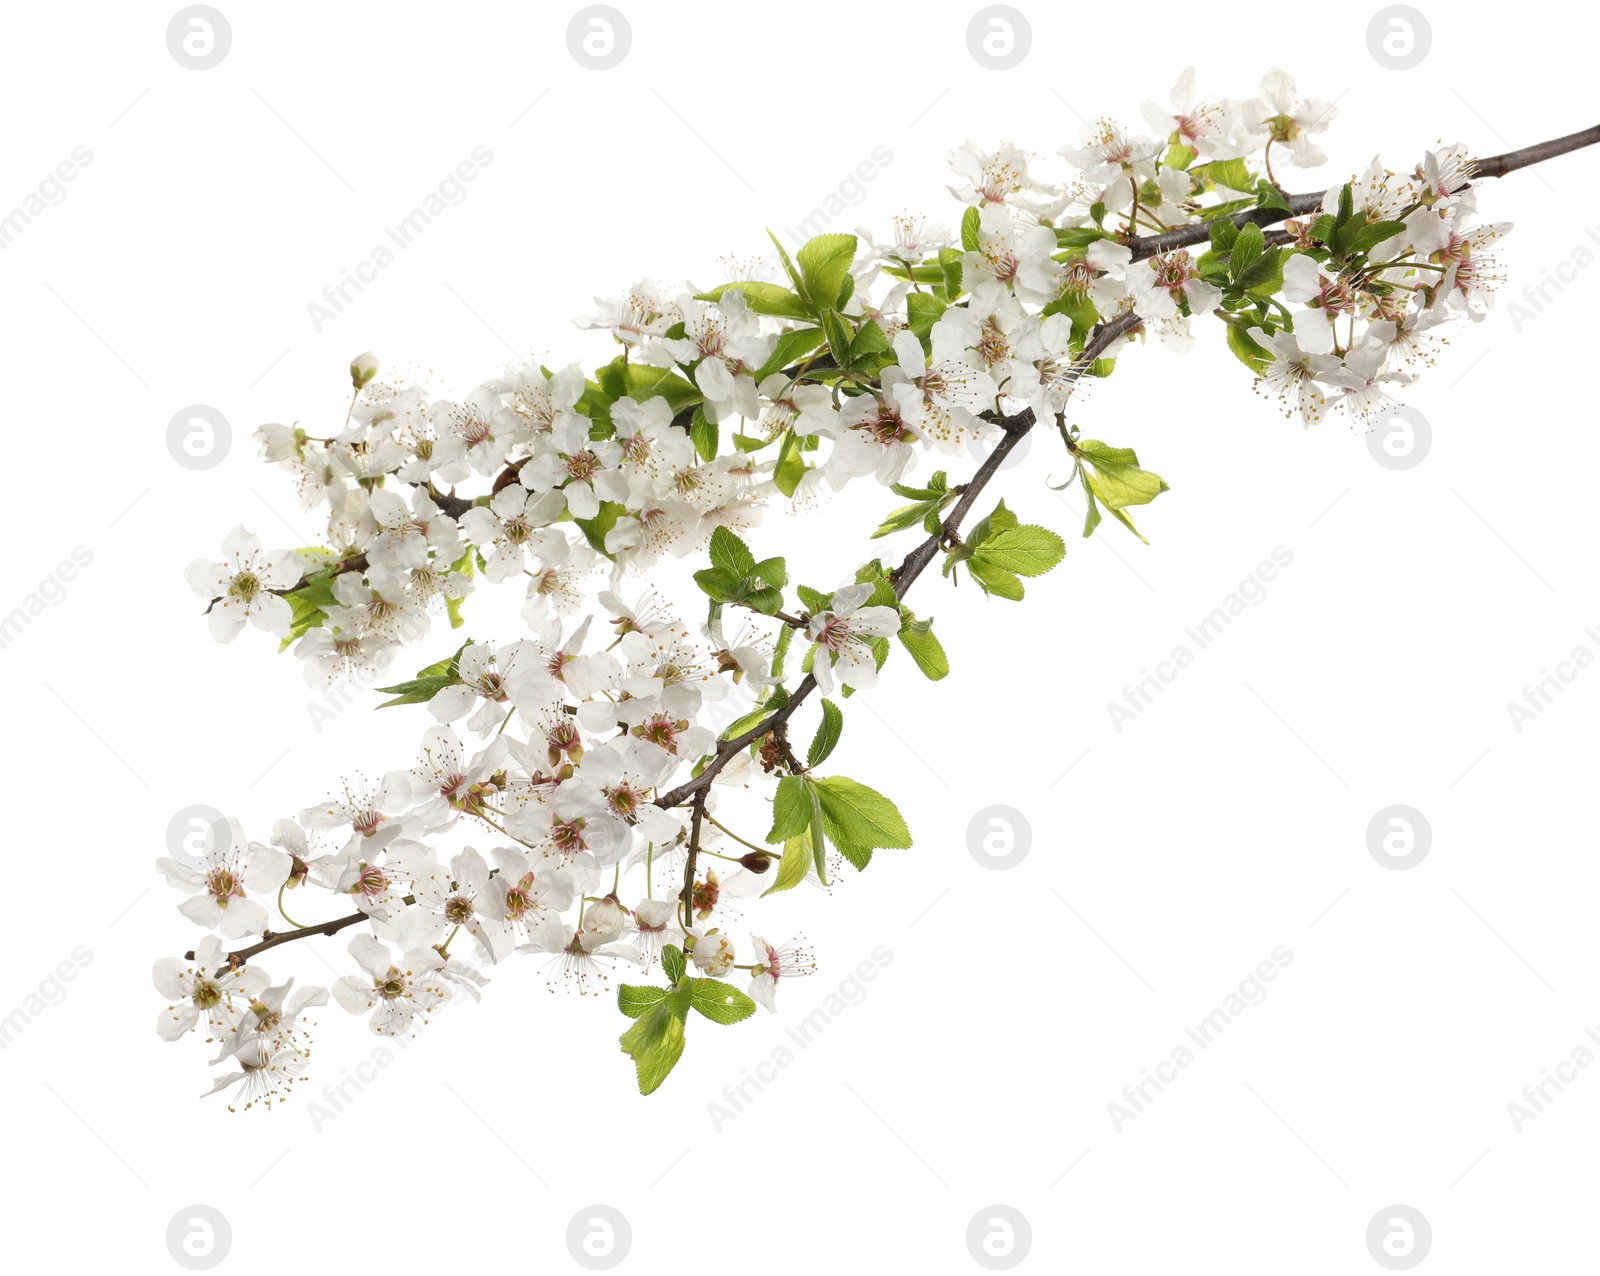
x=566, y=797
